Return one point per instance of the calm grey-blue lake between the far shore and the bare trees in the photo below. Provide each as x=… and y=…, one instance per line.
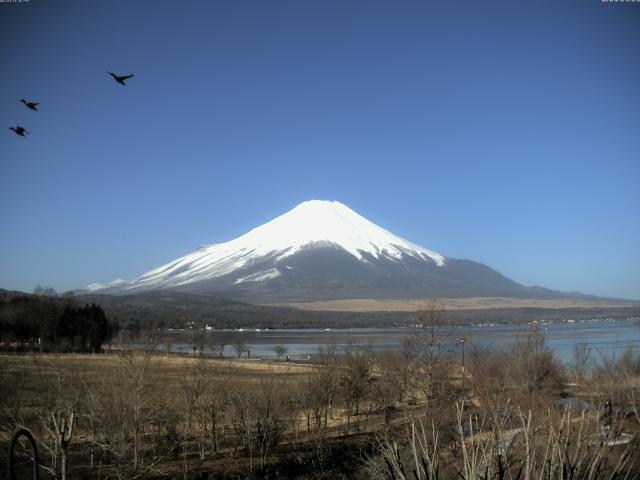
x=606, y=337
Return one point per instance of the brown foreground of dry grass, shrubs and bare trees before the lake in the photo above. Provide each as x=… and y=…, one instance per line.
x=412, y=413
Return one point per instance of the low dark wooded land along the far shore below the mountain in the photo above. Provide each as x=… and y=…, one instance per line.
x=175, y=309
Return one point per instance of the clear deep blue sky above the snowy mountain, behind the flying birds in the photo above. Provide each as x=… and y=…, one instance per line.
x=504, y=132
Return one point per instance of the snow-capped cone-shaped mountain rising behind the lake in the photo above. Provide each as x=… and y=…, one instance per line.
x=322, y=250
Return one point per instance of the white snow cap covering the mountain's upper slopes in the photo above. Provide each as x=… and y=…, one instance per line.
x=314, y=222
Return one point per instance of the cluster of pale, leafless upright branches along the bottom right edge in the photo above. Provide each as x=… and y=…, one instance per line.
x=530, y=448
